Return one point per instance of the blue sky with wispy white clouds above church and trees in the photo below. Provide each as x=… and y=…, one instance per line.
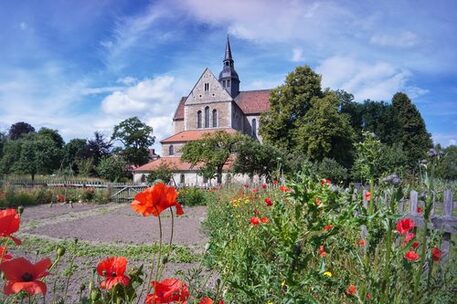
x=81, y=66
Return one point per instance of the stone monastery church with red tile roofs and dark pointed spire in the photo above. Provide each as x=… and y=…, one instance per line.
x=214, y=104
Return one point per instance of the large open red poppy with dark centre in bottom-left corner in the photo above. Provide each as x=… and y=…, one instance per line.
x=22, y=275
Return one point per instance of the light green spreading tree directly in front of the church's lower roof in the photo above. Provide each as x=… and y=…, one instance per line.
x=212, y=152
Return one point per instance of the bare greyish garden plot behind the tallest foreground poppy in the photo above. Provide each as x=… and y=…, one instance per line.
x=113, y=223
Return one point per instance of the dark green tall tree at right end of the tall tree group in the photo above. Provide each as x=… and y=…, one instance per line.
x=412, y=133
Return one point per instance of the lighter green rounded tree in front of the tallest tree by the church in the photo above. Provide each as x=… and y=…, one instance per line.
x=324, y=132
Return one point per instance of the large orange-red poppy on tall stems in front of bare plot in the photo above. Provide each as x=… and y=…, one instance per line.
x=156, y=199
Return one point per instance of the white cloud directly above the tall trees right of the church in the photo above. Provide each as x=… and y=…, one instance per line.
x=366, y=80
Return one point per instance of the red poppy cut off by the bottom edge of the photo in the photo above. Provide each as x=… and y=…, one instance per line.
x=168, y=291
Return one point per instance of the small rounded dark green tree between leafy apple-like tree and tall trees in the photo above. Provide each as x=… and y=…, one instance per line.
x=254, y=158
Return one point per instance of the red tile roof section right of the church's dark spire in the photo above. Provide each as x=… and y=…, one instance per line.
x=253, y=102
